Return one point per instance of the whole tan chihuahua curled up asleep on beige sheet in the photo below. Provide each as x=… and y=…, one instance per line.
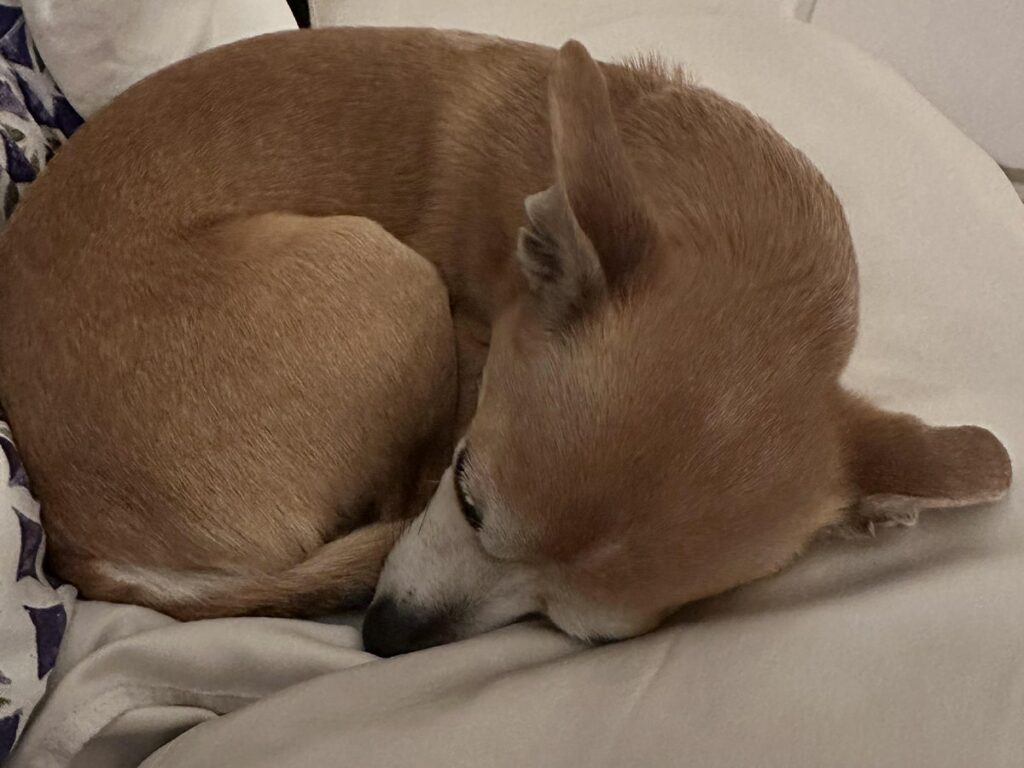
x=232, y=398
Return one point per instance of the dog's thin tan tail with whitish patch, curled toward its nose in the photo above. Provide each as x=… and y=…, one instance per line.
x=339, y=576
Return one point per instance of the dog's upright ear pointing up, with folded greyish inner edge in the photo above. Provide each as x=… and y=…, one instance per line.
x=588, y=233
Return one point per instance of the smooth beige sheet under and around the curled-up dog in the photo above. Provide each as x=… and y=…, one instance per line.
x=906, y=651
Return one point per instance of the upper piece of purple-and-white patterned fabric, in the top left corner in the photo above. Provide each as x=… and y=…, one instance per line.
x=35, y=118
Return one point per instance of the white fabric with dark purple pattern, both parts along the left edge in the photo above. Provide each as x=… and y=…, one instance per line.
x=35, y=120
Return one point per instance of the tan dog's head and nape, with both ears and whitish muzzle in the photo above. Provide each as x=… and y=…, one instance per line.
x=660, y=418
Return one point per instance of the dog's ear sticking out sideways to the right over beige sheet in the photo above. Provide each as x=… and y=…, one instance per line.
x=899, y=465
